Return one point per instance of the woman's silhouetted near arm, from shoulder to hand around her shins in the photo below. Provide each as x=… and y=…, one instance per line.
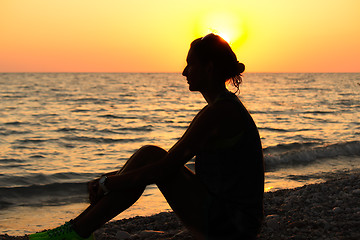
x=210, y=122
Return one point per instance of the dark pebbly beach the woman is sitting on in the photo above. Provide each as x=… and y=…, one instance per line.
x=329, y=210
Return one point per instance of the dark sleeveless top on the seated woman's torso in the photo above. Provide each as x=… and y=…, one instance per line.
x=232, y=170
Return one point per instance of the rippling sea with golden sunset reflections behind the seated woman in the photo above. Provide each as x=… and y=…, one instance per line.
x=60, y=130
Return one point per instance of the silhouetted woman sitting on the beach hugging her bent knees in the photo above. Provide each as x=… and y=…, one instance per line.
x=223, y=199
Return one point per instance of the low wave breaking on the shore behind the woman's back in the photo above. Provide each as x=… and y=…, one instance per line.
x=306, y=153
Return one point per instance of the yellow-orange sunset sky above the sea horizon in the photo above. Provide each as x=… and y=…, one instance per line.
x=155, y=35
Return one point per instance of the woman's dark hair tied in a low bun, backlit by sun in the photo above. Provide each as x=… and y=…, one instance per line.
x=214, y=50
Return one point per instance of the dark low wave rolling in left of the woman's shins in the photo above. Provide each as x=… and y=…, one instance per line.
x=43, y=190
